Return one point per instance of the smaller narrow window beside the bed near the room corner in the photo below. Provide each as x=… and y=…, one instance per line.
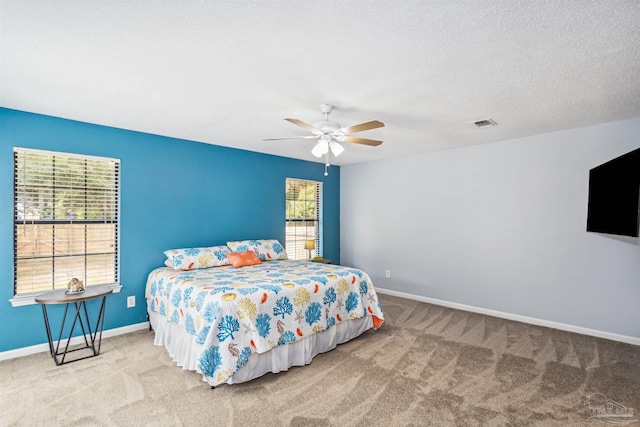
x=303, y=213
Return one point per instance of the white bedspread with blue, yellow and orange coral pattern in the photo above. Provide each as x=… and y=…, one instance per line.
x=234, y=312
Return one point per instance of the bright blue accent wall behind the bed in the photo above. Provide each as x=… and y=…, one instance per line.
x=174, y=193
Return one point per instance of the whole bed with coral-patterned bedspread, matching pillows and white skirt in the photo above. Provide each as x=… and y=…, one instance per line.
x=233, y=323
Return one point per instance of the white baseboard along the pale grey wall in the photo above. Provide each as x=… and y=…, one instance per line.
x=516, y=317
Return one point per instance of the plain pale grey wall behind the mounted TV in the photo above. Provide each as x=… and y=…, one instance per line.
x=498, y=226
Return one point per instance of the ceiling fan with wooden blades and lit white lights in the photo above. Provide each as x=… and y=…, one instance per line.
x=329, y=134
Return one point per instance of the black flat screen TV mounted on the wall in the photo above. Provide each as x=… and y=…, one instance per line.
x=614, y=196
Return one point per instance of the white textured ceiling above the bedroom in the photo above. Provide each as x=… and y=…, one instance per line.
x=229, y=72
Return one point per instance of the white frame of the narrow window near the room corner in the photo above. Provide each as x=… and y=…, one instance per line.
x=317, y=235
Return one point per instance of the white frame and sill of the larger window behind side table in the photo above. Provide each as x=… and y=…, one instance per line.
x=27, y=298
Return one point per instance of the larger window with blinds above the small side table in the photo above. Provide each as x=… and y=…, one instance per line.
x=65, y=220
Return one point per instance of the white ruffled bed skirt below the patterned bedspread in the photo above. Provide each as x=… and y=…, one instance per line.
x=183, y=349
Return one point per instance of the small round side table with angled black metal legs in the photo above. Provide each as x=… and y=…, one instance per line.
x=92, y=338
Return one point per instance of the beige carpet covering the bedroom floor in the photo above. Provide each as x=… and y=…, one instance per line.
x=427, y=366
